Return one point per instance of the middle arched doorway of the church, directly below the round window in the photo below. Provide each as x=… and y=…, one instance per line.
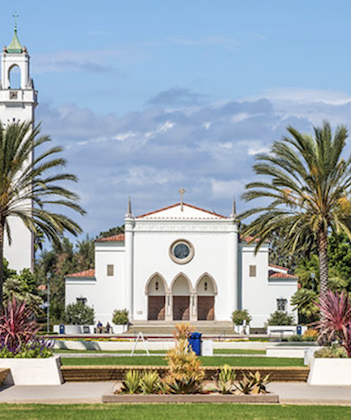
x=181, y=298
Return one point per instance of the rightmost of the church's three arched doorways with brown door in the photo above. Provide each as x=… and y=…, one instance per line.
x=206, y=289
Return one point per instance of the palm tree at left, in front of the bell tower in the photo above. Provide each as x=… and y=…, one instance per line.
x=30, y=187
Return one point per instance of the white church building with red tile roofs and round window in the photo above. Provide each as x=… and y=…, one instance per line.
x=181, y=263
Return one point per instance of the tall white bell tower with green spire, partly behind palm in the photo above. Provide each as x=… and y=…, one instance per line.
x=18, y=100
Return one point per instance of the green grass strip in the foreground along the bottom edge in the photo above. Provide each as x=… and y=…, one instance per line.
x=172, y=412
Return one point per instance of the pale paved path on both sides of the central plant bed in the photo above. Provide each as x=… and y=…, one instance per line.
x=91, y=392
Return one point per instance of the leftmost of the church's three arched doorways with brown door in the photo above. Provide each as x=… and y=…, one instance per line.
x=156, y=291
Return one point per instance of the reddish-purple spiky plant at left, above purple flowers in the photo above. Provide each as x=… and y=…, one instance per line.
x=17, y=326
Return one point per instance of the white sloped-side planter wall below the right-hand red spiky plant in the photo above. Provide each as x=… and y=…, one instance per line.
x=330, y=372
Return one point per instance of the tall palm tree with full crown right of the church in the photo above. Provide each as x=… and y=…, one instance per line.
x=306, y=183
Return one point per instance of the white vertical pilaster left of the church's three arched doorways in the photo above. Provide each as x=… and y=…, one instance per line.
x=129, y=236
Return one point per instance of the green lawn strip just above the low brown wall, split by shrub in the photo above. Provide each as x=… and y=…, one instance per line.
x=160, y=361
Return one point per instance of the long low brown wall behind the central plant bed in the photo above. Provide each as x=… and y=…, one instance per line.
x=116, y=373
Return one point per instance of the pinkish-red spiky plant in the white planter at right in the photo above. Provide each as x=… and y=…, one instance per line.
x=335, y=322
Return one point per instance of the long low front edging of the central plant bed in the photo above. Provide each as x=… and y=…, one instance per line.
x=191, y=398
